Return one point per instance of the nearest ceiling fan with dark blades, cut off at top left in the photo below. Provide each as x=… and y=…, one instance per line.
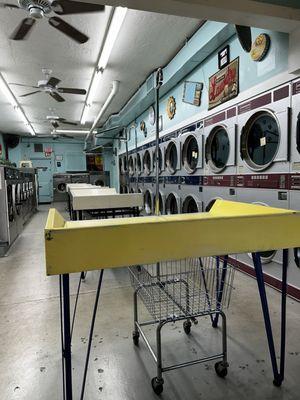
x=39, y=9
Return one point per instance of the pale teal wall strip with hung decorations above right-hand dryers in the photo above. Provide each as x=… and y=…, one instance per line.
x=250, y=74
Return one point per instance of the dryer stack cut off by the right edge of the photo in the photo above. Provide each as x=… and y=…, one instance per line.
x=294, y=183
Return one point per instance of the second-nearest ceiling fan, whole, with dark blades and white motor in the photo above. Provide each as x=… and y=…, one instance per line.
x=50, y=85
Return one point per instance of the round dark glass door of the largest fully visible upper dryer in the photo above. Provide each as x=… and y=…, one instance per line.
x=260, y=140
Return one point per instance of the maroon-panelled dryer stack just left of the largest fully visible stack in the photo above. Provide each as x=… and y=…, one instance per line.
x=220, y=157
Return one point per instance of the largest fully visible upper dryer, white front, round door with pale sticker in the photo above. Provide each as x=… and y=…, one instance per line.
x=264, y=132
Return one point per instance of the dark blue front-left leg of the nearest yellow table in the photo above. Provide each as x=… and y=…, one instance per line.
x=66, y=335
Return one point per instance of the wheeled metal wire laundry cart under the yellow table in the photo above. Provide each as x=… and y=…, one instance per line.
x=182, y=291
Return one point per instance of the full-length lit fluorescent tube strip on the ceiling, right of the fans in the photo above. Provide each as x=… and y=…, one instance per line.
x=111, y=37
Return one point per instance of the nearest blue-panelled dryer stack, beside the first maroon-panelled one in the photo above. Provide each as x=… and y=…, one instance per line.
x=191, y=171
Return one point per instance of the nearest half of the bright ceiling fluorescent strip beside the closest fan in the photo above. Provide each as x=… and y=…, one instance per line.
x=114, y=29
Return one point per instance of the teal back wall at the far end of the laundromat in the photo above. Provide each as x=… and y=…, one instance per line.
x=71, y=151
